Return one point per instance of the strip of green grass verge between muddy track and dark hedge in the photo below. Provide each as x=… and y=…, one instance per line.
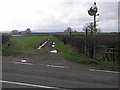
x=72, y=55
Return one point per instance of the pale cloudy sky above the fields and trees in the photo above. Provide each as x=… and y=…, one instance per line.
x=56, y=15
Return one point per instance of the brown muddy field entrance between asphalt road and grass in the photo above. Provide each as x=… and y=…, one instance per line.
x=48, y=58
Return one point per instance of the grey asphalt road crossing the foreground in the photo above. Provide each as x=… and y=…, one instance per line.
x=16, y=75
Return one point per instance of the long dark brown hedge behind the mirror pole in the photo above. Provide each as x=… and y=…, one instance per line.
x=103, y=42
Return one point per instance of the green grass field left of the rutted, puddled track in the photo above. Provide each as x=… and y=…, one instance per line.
x=23, y=44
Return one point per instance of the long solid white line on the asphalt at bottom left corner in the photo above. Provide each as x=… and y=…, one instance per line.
x=26, y=84
